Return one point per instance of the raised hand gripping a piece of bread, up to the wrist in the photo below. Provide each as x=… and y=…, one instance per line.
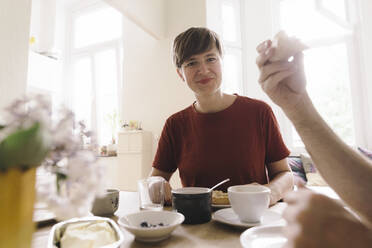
x=284, y=82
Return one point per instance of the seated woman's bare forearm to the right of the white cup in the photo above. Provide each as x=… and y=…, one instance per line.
x=280, y=185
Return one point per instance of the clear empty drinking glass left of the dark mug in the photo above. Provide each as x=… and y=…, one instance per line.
x=151, y=193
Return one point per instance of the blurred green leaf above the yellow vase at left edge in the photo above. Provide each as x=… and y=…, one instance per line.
x=24, y=148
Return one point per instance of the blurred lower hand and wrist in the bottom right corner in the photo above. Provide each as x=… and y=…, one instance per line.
x=315, y=220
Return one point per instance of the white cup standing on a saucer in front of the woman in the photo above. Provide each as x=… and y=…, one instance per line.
x=249, y=202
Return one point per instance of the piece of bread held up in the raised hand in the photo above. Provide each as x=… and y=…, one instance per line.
x=286, y=47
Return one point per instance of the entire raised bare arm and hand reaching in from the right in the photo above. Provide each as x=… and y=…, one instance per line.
x=345, y=170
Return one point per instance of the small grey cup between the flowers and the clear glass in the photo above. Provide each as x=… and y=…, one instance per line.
x=107, y=204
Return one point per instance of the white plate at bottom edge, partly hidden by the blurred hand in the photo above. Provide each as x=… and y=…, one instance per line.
x=263, y=237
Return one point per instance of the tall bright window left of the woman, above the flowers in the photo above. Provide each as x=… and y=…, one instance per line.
x=96, y=43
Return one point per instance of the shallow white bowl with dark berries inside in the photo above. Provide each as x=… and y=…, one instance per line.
x=170, y=220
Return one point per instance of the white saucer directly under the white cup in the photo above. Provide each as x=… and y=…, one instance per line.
x=227, y=216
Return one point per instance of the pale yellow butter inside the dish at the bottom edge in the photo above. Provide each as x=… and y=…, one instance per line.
x=88, y=234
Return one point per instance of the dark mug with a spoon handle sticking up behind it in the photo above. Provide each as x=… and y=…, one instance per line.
x=194, y=203
